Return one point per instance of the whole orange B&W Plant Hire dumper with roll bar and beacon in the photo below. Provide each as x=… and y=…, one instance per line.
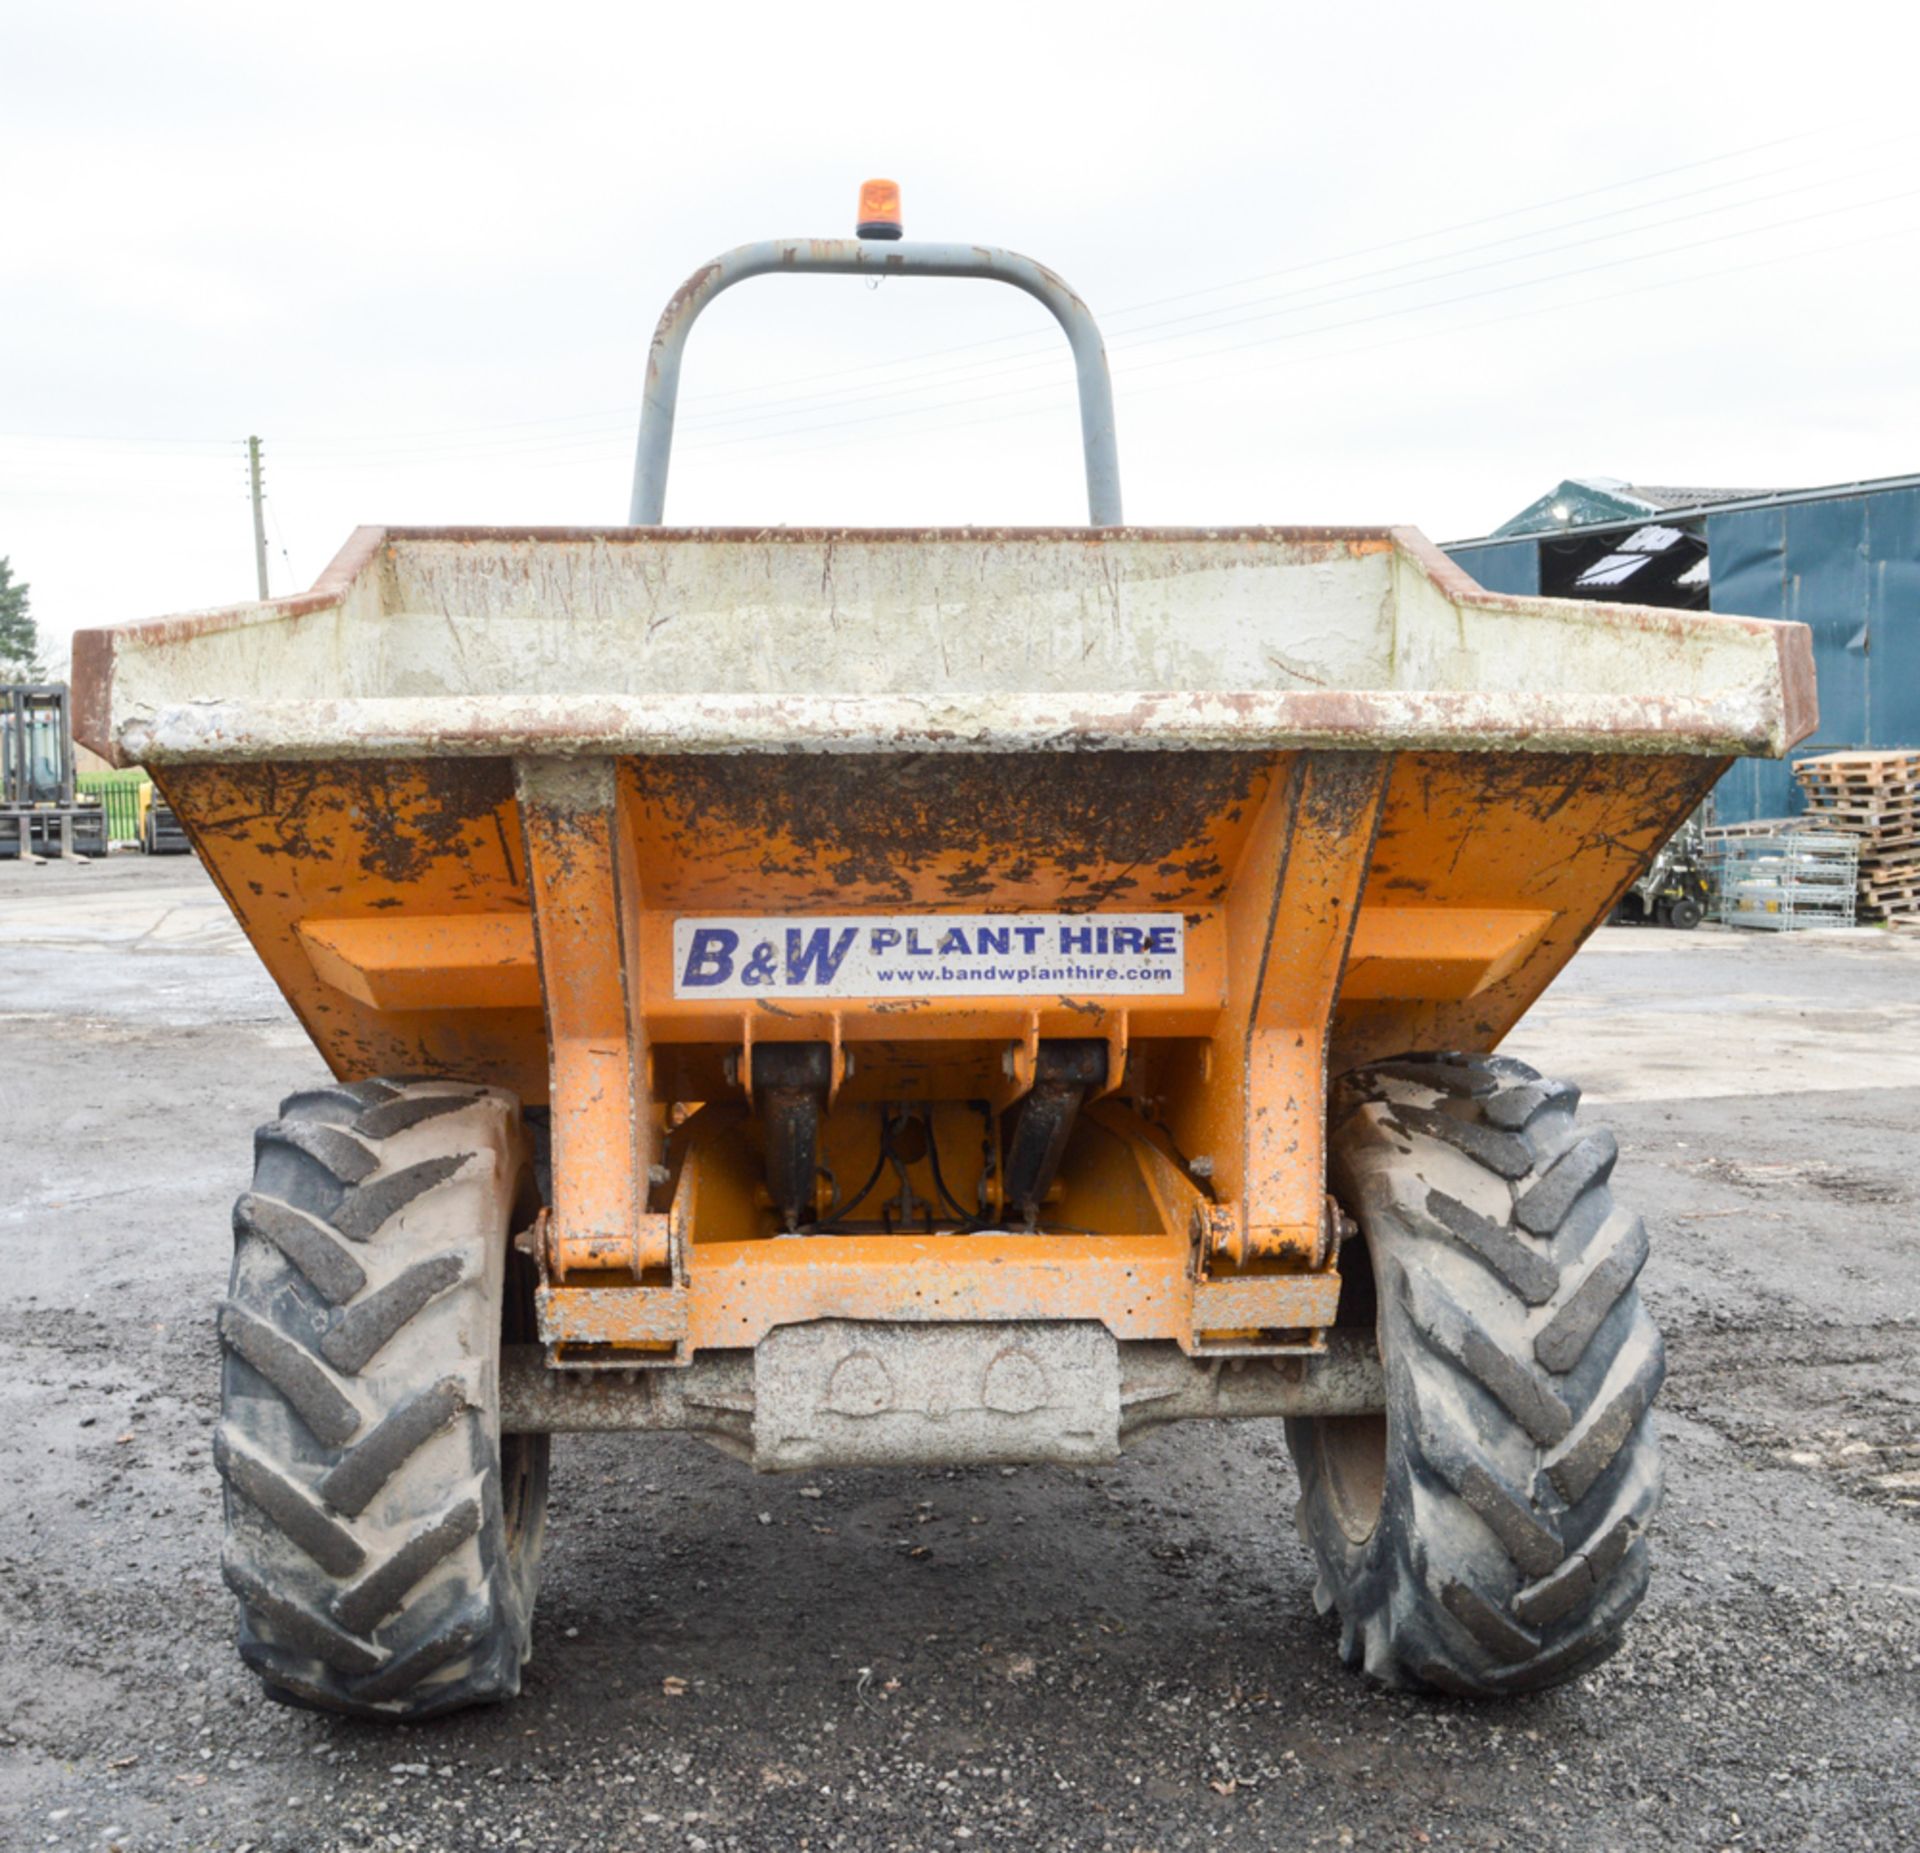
x=878, y=998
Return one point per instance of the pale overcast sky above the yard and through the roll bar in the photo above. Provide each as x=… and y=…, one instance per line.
x=1356, y=264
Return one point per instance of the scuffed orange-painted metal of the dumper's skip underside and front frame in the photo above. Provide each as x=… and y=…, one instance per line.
x=514, y=925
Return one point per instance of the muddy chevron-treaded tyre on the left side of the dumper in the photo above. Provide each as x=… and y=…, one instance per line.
x=383, y=1537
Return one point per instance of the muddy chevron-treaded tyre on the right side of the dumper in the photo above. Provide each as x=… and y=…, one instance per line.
x=1489, y=1531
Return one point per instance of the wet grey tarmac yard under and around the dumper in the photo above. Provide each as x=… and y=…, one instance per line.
x=1120, y=1660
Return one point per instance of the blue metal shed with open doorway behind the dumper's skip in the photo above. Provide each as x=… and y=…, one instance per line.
x=1844, y=562
